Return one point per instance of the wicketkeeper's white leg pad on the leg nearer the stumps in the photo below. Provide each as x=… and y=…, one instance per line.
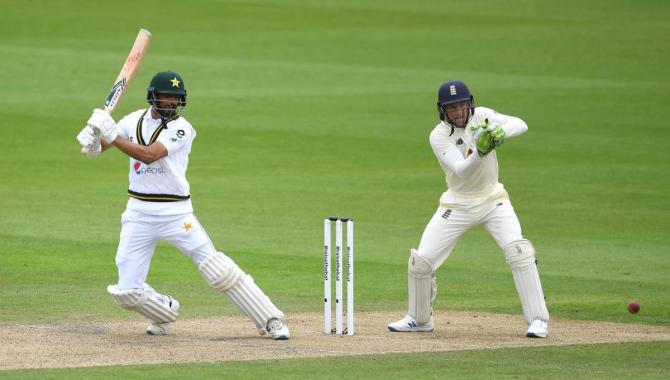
x=421, y=288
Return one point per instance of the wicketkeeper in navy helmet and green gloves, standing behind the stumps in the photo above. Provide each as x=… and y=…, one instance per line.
x=465, y=144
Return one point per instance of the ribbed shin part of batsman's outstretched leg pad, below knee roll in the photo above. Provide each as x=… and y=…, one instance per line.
x=251, y=300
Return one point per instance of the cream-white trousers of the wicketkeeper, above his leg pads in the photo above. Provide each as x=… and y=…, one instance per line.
x=448, y=224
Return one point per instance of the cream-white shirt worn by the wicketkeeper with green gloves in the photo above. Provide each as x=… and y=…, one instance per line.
x=471, y=180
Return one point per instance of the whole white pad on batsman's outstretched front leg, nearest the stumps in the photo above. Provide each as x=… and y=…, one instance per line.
x=223, y=274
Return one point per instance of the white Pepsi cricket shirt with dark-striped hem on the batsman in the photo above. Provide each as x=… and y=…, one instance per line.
x=160, y=188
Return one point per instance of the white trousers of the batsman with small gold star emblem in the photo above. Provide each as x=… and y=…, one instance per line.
x=139, y=234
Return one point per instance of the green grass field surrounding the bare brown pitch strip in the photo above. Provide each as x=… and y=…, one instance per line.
x=306, y=109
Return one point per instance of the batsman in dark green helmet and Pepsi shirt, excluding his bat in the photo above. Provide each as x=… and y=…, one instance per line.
x=158, y=141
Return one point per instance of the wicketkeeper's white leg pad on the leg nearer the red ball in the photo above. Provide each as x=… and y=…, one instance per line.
x=520, y=255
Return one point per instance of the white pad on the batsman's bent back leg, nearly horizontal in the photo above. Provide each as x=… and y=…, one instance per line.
x=156, y=307
